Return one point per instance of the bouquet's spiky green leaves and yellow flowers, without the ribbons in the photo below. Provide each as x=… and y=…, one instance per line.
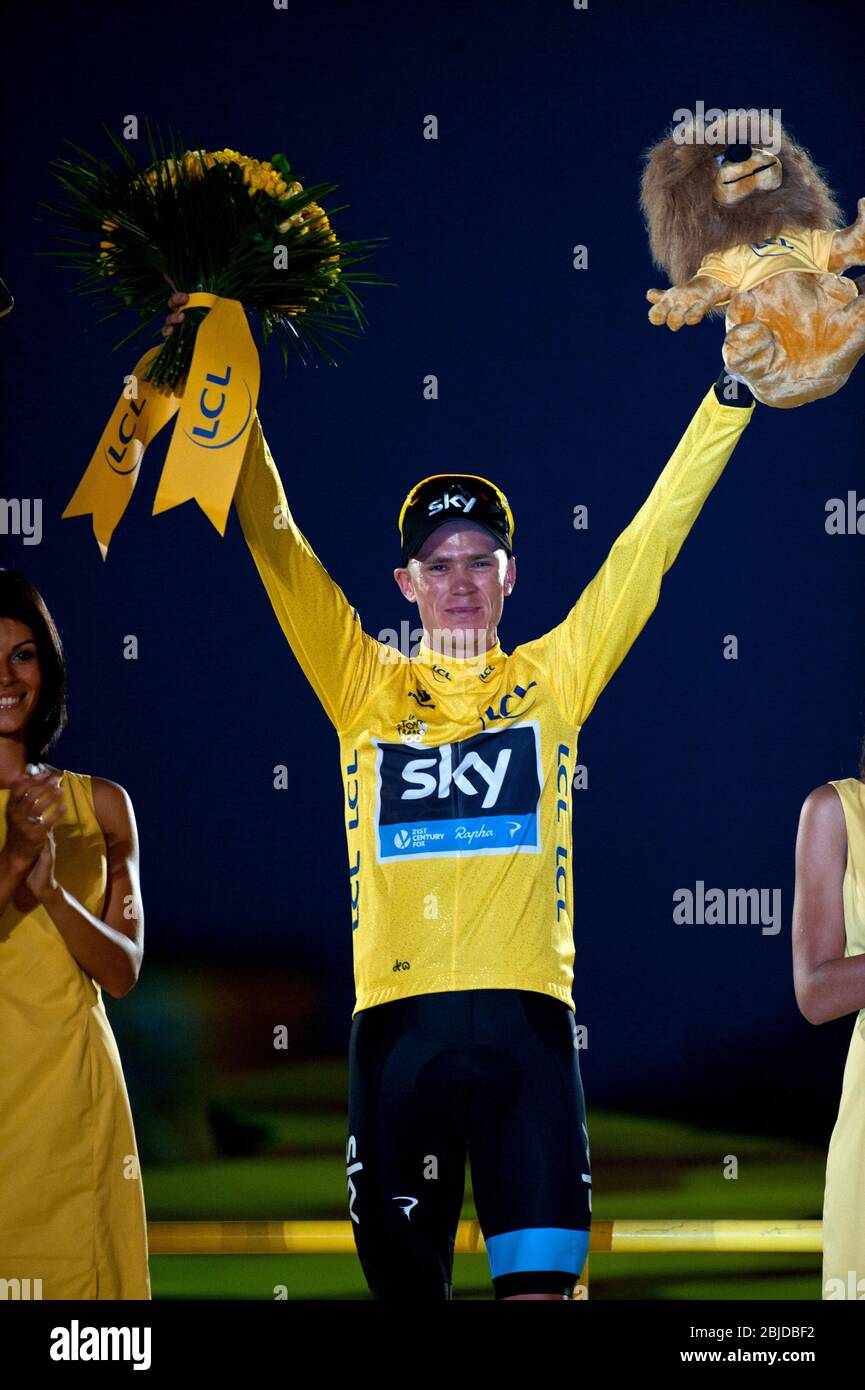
x=215, y=222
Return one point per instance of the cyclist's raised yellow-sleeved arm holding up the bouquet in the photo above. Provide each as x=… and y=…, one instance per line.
x=341, y=662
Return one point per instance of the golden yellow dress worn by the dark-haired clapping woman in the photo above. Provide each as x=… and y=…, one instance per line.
x=72, y=1202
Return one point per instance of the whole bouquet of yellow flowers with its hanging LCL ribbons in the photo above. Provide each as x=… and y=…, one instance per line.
x=241, y=237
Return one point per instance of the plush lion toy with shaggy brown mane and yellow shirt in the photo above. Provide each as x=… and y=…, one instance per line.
x=757, y=230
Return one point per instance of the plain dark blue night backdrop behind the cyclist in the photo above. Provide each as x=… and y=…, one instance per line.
x=551, y=382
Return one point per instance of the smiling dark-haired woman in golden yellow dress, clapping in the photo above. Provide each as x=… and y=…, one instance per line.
x=72, y=925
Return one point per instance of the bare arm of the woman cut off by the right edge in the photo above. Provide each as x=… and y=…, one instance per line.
x=827, y=983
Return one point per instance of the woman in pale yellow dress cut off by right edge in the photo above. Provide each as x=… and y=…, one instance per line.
x=830, y=978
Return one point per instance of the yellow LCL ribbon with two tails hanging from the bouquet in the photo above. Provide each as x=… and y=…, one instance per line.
x=216, y=408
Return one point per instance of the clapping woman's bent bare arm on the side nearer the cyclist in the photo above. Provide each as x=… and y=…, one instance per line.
x=109, y=950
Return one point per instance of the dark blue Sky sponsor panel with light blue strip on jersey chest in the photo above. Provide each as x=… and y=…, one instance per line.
x=479, y=796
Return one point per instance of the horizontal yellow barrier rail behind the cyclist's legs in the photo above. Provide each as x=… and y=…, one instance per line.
x=334, y=1238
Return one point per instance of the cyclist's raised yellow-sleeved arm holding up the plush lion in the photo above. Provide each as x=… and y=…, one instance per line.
x=592, y=643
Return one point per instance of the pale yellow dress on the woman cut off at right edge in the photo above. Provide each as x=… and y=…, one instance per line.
x=845, y=1193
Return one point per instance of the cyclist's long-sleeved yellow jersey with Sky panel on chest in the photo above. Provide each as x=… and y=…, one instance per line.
x=458, y=772
